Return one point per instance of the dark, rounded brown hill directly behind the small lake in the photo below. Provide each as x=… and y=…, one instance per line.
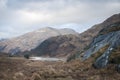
x=60, y=46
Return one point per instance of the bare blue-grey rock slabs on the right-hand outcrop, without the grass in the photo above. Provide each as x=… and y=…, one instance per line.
x=110, y=37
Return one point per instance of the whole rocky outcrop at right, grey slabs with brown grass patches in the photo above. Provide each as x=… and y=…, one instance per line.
x=106, y=45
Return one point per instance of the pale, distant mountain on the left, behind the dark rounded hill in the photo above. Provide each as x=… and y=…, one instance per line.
x=31, y=40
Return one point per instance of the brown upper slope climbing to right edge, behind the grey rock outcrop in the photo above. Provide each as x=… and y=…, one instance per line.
x=88, y=35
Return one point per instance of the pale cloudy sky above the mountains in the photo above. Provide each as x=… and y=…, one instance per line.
x=21, y=16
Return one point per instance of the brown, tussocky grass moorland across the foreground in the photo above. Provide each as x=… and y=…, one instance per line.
x=23, y=69
